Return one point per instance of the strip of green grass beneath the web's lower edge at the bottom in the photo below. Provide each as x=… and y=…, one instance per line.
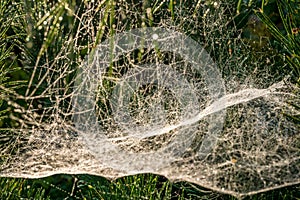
x=144, y=186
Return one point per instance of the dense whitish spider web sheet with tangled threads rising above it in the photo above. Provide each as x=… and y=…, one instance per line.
x=152, y=100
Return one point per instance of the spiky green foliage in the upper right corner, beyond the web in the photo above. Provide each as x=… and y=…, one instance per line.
x=276, y=22
